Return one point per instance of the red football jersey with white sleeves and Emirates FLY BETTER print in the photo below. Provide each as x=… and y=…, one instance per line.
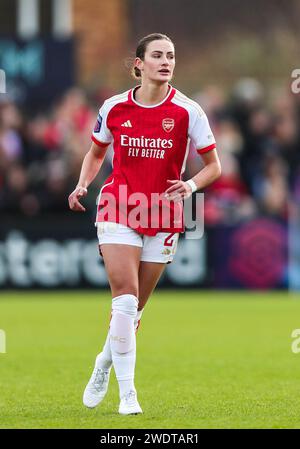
x=150, y=146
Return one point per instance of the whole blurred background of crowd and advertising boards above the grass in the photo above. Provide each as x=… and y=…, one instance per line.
x=63, y=58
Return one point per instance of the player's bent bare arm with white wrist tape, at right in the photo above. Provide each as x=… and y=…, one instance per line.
x=207, y=175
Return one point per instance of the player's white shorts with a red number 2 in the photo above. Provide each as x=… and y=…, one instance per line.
x=160, y=248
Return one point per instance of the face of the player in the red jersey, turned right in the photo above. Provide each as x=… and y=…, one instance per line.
x=159, y=61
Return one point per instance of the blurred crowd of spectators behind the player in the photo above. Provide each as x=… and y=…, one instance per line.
x=258, y=141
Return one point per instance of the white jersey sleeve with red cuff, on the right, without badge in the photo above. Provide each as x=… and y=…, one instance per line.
x=200, y=132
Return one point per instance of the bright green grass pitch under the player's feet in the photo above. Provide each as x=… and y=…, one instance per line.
x=204, y=360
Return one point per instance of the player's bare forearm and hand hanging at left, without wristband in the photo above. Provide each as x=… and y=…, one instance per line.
x=91, y=165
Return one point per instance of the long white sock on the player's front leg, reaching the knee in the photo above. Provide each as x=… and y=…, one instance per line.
x=122, y=340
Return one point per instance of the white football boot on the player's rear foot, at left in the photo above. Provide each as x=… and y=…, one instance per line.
x=97, y=387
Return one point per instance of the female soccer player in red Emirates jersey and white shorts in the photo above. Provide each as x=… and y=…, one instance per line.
x=139, y=214
